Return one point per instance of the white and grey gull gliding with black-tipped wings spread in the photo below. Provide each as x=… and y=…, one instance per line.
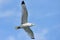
x=24, y=22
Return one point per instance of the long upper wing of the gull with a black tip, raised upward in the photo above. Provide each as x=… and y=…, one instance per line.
x=24, y=13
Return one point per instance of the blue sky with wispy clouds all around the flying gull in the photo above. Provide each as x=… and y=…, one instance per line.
x=45, y=14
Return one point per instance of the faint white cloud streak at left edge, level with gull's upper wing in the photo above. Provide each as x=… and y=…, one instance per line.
x=8, y=13
